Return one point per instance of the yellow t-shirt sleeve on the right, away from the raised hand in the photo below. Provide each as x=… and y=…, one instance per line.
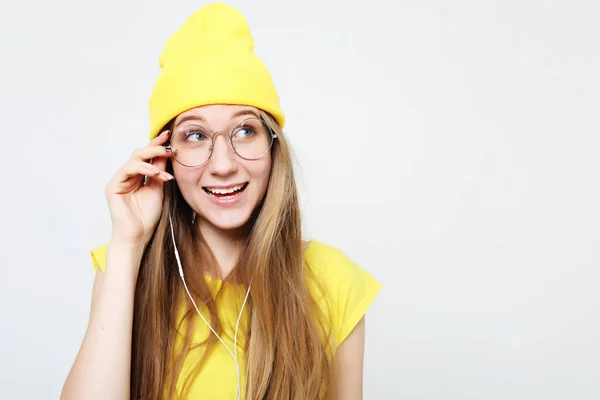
x=350, y=289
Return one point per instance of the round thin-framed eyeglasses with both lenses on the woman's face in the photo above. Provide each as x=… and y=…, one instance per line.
x=192, y=145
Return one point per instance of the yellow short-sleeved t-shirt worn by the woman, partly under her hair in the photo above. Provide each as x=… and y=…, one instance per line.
x=349, y=292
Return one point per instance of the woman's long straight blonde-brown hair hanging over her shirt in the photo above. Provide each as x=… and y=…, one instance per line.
x=287, y=345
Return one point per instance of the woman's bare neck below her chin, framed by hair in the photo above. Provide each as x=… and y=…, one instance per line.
x=226, y=245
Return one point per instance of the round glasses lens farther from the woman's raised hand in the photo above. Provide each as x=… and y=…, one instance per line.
x=251, y=139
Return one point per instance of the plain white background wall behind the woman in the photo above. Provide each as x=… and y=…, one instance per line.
x=450, y=148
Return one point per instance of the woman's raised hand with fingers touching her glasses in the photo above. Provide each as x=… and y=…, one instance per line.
x=134, y=207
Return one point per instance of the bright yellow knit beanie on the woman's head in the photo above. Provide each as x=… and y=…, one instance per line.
x=210, y=60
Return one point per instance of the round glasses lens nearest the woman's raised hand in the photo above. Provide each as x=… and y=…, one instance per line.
x=191, y=145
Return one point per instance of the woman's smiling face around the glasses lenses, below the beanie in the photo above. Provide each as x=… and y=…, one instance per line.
x=207, y=188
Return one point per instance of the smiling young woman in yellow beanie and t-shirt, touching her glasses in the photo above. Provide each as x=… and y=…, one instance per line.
x=206, y=289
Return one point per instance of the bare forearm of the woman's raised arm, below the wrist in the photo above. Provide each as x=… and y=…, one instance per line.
x=103, y=364
